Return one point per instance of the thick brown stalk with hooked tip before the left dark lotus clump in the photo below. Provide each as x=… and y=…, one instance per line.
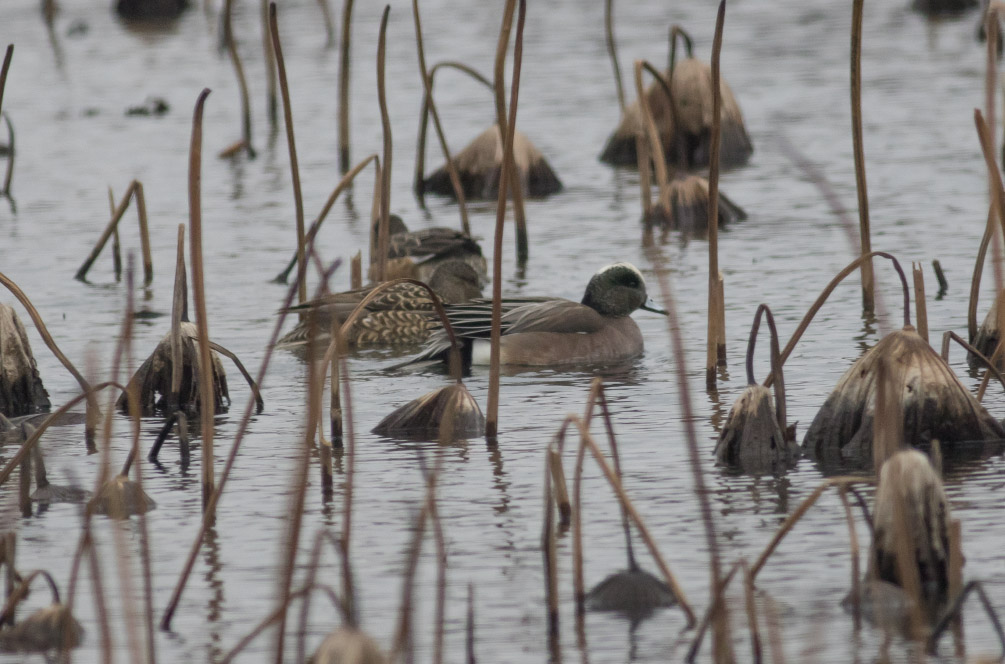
x=208, y=406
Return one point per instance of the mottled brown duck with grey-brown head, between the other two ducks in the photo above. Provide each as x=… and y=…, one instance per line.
x=400, y=316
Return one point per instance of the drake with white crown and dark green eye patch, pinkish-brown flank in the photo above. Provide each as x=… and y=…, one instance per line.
x=542, y=332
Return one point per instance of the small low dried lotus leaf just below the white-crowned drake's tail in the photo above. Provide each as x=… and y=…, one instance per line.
x=448, y=414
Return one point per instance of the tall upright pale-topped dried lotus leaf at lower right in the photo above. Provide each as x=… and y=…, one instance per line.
x=911, y=499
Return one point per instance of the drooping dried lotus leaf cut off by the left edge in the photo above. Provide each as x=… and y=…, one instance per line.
x=22, y=391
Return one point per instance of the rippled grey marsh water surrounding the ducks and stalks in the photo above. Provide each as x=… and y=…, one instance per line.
x=787, y=62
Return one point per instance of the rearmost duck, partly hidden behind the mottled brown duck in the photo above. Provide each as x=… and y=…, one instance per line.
x=418, y=255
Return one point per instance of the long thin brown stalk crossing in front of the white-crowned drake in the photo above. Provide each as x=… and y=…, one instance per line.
x=492, y=416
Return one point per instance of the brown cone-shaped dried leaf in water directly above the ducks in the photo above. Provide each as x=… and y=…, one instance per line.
x=480, y=163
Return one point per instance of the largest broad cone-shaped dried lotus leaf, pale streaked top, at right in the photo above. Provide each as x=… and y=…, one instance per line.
x=935, y=405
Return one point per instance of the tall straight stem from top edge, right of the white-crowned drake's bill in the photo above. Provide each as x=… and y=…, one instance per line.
x=715, y=352
